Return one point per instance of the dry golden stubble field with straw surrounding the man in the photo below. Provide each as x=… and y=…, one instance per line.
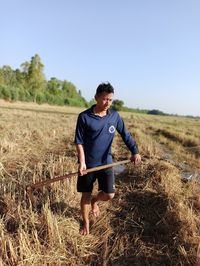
x=153, y=219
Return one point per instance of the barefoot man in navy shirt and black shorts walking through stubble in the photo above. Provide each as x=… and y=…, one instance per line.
x=94, y=134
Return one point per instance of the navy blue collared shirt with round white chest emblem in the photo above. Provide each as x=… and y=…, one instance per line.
x=96, y=135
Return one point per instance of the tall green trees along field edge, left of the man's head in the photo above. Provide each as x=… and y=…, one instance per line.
x=28, y=83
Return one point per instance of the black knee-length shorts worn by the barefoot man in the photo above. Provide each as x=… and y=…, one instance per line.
x=105, y=178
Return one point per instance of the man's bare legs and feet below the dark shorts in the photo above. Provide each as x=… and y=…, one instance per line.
x=87, y=201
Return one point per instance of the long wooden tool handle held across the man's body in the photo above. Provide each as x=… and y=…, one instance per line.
x=90, y=170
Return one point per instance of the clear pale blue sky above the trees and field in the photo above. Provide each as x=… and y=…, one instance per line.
x=149, y=50
